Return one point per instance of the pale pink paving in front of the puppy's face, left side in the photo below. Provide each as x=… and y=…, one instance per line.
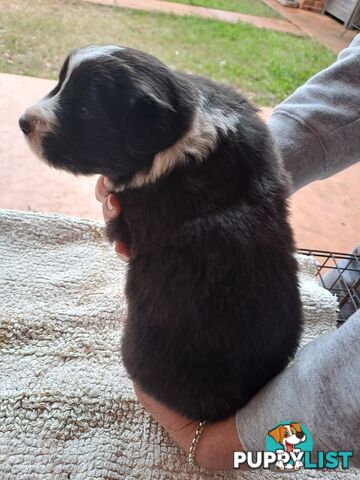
x=25, y=182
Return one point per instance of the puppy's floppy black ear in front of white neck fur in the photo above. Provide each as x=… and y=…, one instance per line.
x=150, y=124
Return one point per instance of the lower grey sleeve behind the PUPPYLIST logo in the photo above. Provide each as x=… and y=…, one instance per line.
x=321, y=390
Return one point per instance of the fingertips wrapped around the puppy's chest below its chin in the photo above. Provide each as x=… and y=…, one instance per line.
x=111, y=209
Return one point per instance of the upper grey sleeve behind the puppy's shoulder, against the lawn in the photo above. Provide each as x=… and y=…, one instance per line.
x=317, y=129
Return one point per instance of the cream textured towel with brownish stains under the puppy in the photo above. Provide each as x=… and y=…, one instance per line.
x=67, y=408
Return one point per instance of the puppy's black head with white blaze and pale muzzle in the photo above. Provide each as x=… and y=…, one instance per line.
x=112, y=110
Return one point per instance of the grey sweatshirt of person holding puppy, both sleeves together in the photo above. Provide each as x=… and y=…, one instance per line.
x=317, y=130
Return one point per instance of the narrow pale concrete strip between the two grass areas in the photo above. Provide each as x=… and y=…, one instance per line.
x=279, y=25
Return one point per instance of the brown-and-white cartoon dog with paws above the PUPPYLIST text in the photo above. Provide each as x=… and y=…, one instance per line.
x=288, y=435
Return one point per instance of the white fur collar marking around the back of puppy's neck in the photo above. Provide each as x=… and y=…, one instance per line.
x=198, y=142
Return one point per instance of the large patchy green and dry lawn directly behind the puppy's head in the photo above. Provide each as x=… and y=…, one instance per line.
x=36, y=36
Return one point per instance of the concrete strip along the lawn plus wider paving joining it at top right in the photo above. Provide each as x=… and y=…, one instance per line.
x=296, y=20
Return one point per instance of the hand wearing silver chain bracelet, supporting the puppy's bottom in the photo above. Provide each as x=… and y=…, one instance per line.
x=217, y=443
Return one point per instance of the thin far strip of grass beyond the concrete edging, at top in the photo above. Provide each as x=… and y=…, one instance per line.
x=250, y=7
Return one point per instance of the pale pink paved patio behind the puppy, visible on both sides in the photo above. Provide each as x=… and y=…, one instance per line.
x=325, y=215
